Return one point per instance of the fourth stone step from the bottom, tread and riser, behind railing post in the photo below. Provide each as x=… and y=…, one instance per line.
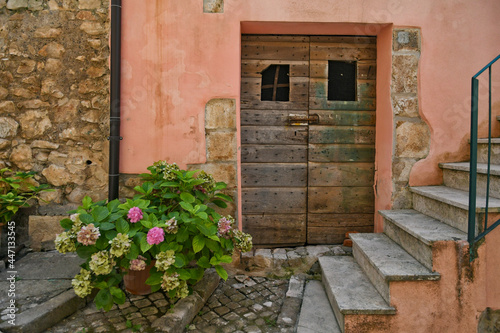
x=451, y=206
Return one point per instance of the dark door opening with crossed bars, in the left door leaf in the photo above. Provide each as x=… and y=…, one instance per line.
x=276, y=83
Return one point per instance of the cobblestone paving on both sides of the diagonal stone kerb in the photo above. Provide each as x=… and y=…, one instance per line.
x=241, y=304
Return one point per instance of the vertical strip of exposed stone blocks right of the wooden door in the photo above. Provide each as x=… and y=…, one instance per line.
x=412, y=135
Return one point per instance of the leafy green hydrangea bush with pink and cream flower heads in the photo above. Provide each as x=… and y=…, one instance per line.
x=172, y=221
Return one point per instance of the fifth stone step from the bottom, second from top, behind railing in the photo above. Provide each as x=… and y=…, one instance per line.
x=456, y=175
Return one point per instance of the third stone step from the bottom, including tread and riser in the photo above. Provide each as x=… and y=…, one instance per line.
x=416, y=232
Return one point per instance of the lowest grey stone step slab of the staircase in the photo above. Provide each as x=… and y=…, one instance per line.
x=349, y=290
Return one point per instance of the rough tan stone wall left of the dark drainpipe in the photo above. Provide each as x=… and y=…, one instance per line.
x=54, y=94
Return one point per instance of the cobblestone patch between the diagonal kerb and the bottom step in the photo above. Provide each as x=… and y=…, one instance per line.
x=243, y=304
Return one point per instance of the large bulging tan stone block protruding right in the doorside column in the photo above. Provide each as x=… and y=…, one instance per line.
x=412, y=139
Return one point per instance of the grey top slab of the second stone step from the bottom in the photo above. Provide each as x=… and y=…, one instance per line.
x=390, y=260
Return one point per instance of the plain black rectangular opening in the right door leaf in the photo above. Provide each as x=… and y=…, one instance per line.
x=341, y=80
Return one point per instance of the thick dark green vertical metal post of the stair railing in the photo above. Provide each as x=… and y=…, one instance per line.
x=473, y=166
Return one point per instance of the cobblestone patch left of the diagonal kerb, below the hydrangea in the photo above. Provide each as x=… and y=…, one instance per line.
x=138, y=310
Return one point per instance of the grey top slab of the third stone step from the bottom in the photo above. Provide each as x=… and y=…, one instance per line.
x=423, y=227
